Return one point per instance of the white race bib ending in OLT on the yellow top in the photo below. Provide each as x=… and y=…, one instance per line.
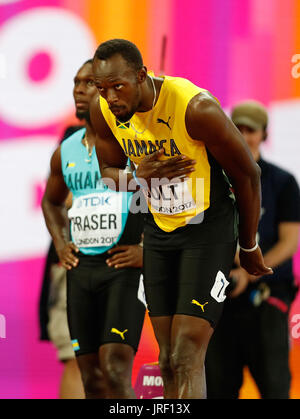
x=170, y=199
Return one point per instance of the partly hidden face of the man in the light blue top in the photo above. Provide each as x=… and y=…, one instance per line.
x=83, y=91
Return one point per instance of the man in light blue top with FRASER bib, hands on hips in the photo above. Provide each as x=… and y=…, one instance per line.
x=98, y=244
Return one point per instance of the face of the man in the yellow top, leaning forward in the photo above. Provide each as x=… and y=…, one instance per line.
x=119, y=84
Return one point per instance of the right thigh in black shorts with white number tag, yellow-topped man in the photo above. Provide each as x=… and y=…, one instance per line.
x=203, y=278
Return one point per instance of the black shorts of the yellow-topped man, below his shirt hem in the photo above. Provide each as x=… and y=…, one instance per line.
x=188, y=281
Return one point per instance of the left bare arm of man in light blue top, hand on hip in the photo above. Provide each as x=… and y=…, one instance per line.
x=55, y=213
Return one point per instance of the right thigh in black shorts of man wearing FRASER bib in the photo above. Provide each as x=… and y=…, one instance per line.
x=124, y=314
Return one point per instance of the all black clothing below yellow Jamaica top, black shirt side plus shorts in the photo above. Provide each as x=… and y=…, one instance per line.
x=186, y=271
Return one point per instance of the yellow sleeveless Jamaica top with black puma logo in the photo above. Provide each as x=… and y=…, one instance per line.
x=173, y=205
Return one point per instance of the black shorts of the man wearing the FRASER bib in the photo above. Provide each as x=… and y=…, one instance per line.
x=103, y=305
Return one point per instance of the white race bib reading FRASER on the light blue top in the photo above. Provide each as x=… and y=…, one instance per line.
x=96, y=219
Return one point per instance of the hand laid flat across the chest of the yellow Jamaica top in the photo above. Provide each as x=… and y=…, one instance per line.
x=151, y=167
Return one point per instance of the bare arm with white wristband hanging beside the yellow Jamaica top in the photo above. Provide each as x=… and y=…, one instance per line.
x=206, y=121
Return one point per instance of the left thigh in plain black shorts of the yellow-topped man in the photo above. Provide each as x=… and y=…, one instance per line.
x=161, y=274
